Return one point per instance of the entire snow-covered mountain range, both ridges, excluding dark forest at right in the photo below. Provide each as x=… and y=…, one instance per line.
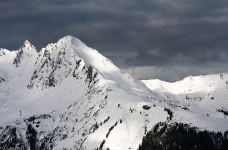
x=69, y=96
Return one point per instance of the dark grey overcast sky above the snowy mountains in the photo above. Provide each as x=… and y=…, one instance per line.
x=162, y=39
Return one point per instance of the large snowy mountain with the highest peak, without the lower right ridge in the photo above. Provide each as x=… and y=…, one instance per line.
x=71, y=94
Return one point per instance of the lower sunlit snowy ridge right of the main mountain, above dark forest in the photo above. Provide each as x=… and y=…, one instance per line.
x=204, y=99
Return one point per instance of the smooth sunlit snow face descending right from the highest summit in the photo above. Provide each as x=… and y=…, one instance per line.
x=93, y=58
